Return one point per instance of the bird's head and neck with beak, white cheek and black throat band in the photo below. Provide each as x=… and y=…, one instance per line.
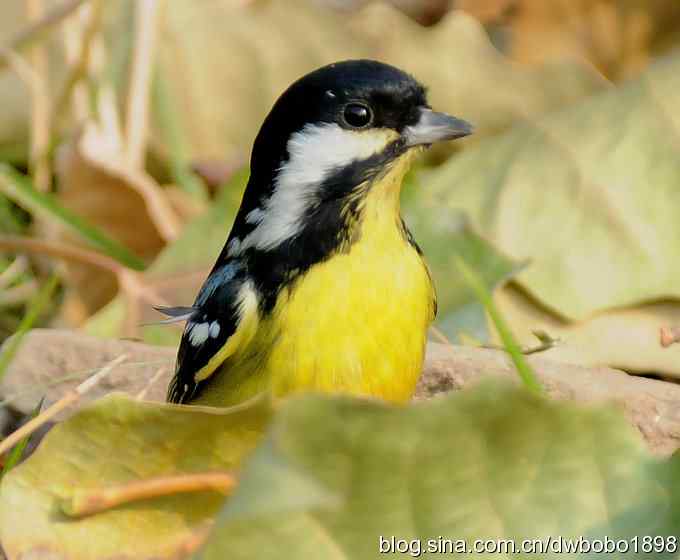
x=322, y=147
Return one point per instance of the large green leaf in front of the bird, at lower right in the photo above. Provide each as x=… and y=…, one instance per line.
x=489, y=463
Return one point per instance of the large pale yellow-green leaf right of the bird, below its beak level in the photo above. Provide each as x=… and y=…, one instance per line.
x=588, y=195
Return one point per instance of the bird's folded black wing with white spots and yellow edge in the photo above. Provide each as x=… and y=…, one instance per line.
x=213, y=331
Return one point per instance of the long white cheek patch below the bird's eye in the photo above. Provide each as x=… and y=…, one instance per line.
x=315, y=151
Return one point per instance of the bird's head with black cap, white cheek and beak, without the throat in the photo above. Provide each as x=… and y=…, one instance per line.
x=327, y=133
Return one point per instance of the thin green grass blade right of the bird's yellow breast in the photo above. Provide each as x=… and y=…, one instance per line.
x=524, y=370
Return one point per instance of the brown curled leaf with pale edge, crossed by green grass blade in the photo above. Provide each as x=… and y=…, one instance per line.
x=127, y=204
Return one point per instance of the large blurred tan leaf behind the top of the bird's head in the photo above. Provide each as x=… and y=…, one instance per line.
x=455, y=59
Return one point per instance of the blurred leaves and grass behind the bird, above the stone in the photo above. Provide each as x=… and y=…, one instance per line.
x=126, y=128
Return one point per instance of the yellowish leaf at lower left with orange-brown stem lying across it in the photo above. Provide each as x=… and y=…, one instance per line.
x=116, y=441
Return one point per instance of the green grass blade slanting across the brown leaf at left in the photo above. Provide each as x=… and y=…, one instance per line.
x=18, y=187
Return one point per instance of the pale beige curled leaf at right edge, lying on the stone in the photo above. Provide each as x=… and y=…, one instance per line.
x=626, y=338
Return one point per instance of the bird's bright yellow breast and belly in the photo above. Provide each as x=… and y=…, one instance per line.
x=354, y=323
